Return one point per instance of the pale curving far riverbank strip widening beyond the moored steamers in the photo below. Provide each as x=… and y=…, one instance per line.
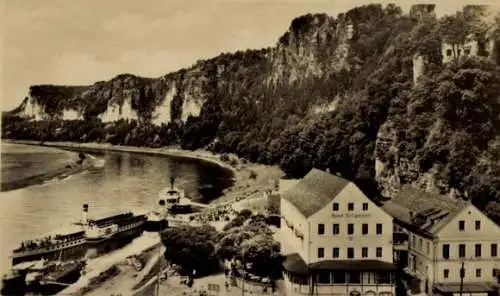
x=250, y=179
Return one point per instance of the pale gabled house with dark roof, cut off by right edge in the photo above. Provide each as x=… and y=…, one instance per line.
x=444, y=233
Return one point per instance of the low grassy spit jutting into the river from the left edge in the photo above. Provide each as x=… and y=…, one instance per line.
x=58, y=170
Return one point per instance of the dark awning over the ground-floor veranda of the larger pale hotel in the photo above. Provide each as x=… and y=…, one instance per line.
x=355, y=265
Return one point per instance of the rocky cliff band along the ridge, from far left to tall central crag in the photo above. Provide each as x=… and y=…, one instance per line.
x=314, y=47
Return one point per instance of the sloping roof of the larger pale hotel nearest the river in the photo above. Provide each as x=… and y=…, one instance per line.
x=314, y=191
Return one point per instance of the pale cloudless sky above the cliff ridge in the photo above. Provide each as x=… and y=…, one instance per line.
x=79, y=42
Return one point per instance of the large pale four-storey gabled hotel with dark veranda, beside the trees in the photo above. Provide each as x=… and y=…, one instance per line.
x=338, y=242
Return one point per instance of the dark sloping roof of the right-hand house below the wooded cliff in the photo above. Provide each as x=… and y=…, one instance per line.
x=424, y=212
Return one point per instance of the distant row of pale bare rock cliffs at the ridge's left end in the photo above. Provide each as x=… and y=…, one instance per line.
x=125, y=97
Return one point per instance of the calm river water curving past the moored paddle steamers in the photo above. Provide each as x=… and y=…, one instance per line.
x=122, y=181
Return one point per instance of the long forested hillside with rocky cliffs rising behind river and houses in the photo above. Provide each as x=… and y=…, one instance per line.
x=335, y=92
